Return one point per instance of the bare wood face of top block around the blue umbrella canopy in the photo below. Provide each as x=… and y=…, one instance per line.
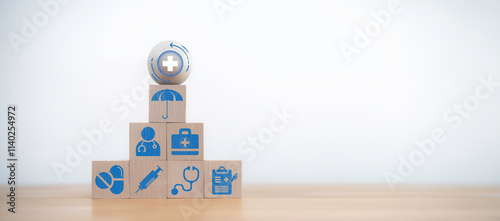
x=176, y=109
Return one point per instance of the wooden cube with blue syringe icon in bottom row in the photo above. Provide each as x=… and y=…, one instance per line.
x=148, y=179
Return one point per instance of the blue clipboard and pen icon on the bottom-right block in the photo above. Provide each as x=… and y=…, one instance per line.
x=222, y=181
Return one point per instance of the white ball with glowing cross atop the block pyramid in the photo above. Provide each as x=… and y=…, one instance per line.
x=169, y=62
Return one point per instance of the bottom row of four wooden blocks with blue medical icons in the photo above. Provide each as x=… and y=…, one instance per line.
x=166, y=179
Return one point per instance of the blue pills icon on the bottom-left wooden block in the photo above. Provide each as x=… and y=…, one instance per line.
x=104, y=180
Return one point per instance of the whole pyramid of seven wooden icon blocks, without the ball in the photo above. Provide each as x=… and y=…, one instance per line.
x=166, y=157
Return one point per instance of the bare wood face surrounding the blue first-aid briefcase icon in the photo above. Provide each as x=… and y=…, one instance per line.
x=196, y=129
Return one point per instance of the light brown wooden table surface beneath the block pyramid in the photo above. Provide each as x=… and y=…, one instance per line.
x=266, y=203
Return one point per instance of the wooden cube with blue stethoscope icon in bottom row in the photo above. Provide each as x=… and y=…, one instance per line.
x=185, y=179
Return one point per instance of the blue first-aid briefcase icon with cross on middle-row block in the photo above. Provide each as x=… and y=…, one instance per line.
x=185, y=143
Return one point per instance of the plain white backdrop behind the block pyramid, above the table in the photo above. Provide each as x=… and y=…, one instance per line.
x=354, y=120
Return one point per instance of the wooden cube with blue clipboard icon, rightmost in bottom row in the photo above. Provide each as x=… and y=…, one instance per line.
x=223, y=179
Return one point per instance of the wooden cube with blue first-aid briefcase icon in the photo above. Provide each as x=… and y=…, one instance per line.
x=185, y=142
